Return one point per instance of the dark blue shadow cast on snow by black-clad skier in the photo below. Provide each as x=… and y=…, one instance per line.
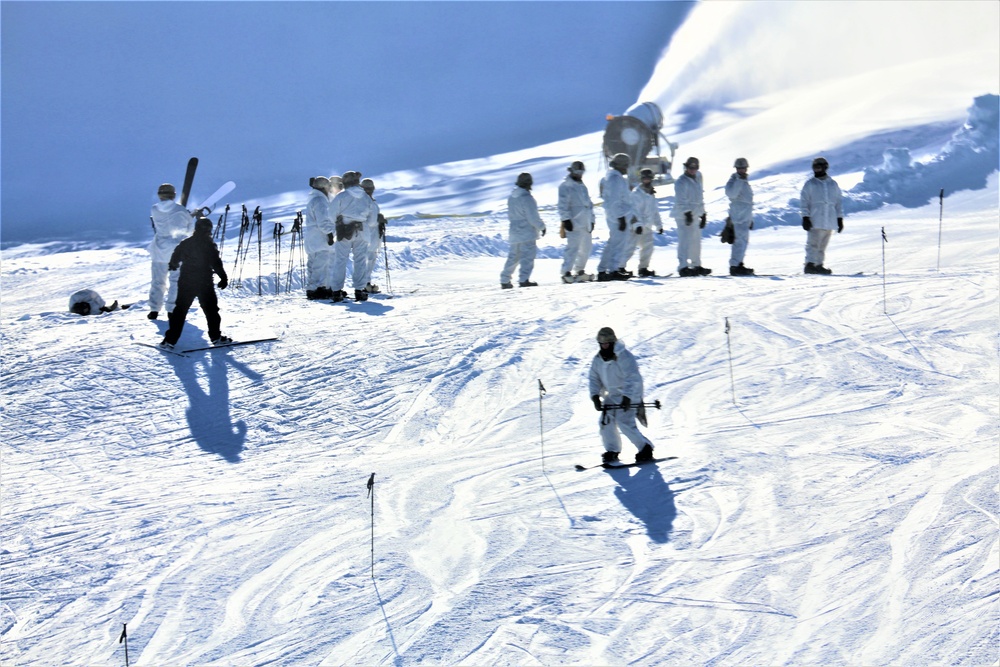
x=208, y=414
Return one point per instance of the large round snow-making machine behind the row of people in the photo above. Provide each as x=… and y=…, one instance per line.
x=637, y=134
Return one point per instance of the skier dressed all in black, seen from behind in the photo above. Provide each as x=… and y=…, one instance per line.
x=198, y=258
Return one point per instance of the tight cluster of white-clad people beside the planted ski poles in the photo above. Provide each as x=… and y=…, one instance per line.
x=343, y=222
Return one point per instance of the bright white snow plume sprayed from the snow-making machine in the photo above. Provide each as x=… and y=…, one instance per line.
x=725, y=52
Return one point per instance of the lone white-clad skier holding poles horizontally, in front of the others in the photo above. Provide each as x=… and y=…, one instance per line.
x=615, y=378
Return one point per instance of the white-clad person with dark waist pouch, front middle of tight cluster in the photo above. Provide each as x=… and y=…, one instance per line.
x=350, y=210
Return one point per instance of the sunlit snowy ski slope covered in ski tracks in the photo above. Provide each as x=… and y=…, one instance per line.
x=834, y=499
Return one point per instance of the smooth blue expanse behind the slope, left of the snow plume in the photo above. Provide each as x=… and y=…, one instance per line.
x=102, y=101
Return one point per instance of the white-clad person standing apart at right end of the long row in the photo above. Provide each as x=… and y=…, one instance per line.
x=822, y=212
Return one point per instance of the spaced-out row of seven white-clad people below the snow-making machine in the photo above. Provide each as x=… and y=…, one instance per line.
x=632, y=215
